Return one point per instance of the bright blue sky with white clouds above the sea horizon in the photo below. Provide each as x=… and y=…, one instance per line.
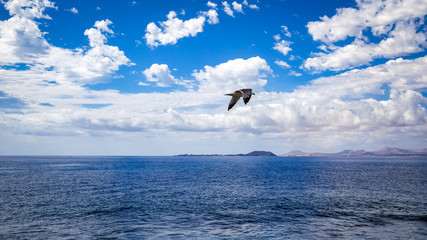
x=149, y=77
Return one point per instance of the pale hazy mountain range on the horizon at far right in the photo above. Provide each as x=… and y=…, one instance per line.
x=387, y=151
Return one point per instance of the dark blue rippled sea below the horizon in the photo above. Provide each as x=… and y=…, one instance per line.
x=212, y=197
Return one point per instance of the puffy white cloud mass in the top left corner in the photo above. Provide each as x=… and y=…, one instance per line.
x=22, y=42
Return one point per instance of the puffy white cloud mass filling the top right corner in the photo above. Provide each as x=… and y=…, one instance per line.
x=395, y=23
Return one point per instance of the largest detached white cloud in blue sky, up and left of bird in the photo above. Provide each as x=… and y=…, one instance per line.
x=173, y=29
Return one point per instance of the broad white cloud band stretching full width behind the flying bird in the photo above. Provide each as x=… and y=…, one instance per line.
x=336, y=109
